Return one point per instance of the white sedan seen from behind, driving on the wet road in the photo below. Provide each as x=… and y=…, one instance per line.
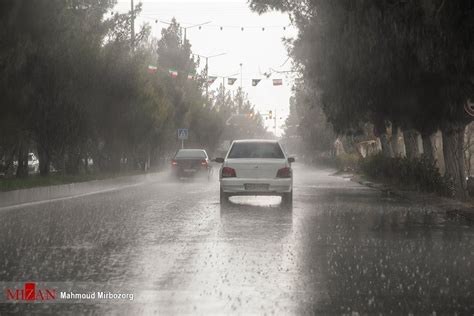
x=256, y=167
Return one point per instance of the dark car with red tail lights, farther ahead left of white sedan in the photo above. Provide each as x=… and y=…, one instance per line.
x=191, y=163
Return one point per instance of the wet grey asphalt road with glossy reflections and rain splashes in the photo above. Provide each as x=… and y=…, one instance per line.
x=342, y=249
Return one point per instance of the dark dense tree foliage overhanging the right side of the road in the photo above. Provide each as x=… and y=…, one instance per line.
x=393, y=63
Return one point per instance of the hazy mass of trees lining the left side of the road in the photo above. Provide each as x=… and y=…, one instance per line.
x=75, y=87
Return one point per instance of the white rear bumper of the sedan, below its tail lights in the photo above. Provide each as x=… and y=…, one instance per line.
x=237, y=186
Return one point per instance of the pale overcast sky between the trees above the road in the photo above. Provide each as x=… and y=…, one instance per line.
x=256, y=49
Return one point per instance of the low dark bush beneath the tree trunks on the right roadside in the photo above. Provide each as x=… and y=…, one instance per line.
x=420, y=173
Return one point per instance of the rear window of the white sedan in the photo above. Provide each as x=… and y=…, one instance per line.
x=256, y=150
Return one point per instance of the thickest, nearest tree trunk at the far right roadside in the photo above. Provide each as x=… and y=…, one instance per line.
x=453, y=141
